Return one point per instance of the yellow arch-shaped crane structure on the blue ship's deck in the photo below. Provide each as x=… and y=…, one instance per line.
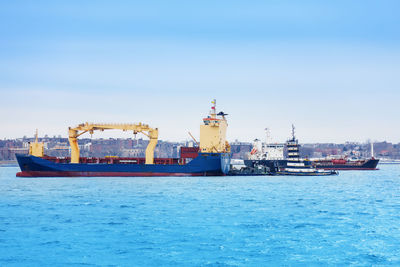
x=74, y=133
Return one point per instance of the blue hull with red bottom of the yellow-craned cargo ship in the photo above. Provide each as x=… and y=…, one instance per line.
x=205, y=164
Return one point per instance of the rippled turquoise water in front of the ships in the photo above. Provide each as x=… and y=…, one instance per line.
x=350, y=219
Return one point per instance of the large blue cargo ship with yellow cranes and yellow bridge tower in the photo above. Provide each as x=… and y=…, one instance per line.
x=210, y=158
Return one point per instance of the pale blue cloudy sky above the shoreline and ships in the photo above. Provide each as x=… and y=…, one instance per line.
x=332, y=68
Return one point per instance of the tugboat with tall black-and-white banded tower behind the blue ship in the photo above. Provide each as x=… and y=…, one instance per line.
x=297, y=166
